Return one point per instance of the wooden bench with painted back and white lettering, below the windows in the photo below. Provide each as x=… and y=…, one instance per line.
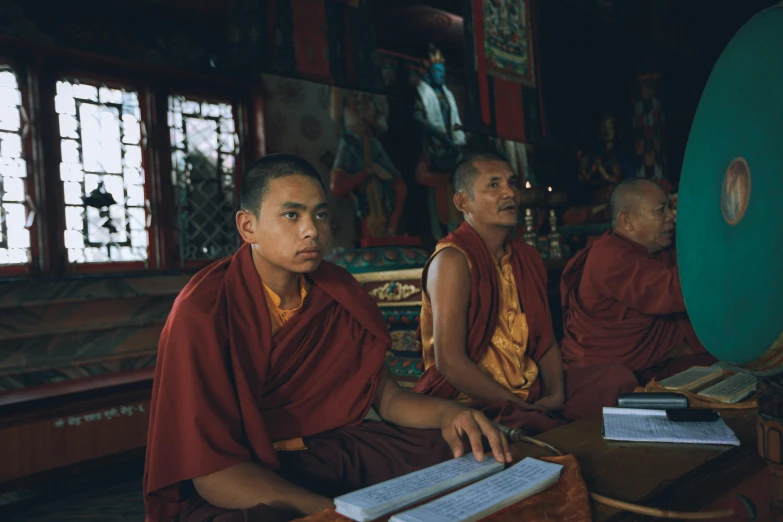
x=76, y=367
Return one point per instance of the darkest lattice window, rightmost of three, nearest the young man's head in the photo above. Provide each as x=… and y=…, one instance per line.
x=203, y=157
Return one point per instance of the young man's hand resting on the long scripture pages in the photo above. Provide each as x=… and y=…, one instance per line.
x=458, y=422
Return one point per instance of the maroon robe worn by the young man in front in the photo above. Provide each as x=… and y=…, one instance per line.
x=225, y=390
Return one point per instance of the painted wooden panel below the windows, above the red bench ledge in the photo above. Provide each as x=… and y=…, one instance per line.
x=74, y=328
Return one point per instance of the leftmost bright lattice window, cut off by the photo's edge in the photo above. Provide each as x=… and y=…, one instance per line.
x=14, y=225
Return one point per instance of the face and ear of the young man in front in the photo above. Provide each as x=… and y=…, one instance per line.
x=292, y=229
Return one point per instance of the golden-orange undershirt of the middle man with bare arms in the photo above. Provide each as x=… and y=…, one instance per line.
x=506, y=359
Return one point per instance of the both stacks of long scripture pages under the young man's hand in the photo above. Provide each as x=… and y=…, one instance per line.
x=497, y=490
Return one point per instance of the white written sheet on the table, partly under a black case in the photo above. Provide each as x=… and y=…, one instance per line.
x=635, y=425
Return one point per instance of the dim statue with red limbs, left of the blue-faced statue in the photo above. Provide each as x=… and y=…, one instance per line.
x=363, y=170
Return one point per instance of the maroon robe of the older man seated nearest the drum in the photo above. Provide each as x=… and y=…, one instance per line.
x=624, y=306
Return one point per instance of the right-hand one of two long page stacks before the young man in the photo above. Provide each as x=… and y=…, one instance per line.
x=478, y=500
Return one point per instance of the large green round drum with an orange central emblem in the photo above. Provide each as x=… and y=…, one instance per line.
x=730, y=207
